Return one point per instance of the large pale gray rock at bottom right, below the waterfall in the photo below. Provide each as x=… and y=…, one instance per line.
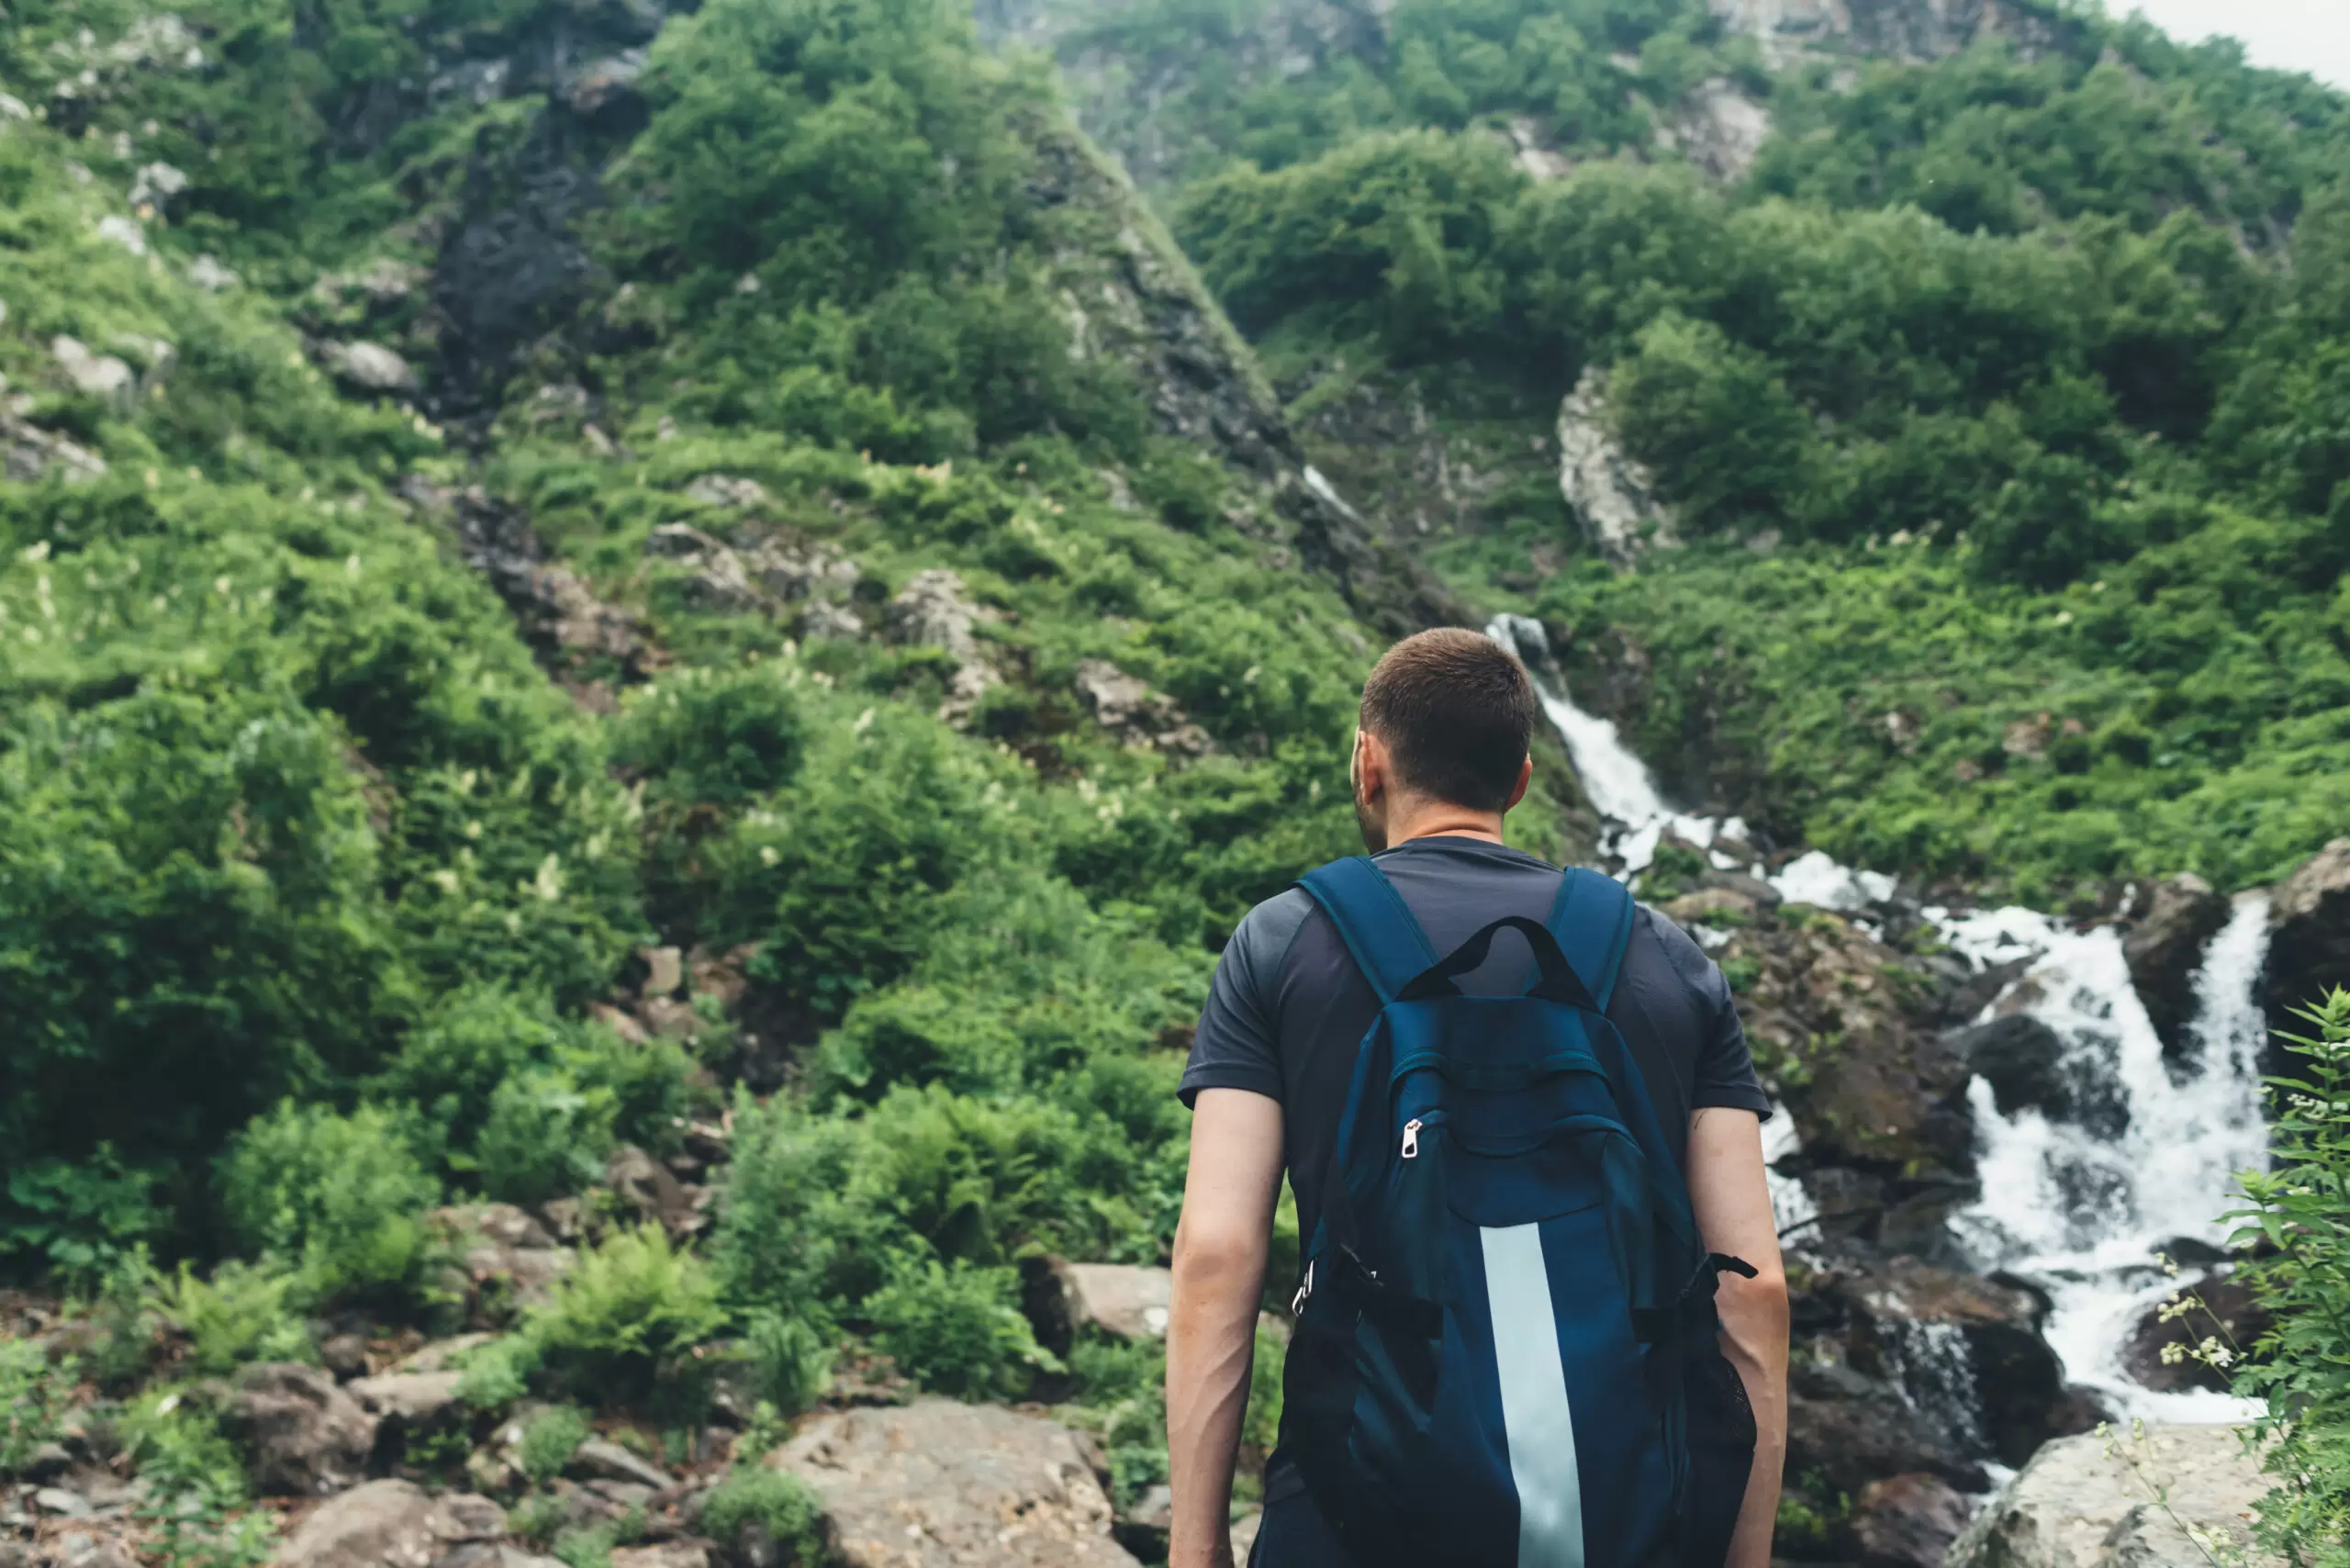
x=2093, y=1503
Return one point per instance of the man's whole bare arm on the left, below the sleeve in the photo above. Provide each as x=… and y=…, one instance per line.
x=1221, y=1245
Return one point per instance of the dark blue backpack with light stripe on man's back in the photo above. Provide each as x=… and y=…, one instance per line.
x=1505, y=1346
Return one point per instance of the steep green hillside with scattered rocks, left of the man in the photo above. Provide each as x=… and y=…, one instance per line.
x=572, y=570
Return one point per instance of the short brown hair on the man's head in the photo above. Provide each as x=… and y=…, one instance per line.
x=1456, y=713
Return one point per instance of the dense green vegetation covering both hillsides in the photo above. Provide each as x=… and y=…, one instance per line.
x=427, y=777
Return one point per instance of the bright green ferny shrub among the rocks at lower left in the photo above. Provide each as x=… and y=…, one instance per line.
x=626, y=1318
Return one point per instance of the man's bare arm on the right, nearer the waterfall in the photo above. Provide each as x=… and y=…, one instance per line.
x=1733, y=1217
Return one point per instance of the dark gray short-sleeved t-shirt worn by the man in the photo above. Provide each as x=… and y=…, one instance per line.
x=1289, y=1005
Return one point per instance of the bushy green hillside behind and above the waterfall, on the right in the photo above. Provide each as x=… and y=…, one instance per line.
x=2048, y=302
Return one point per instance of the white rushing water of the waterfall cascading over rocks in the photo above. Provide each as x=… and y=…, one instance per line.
x=2081, y=1207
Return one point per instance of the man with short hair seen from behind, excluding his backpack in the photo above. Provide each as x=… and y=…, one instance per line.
x=1439, y=760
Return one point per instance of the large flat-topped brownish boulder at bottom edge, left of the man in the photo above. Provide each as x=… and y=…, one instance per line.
x=941, y=1485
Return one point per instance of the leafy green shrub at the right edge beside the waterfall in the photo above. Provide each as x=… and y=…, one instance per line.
x=2302, y=1209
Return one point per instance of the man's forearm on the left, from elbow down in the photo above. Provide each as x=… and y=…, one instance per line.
x=1211, y=1343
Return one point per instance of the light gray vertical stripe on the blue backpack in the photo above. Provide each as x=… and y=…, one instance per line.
x=1533, y=1400
